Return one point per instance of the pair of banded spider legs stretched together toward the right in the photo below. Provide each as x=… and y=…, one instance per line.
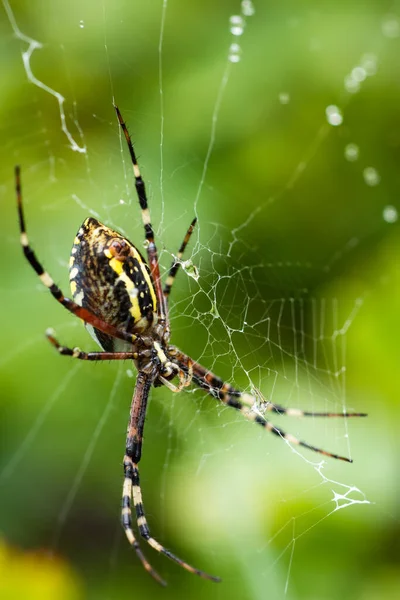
x=245, y=403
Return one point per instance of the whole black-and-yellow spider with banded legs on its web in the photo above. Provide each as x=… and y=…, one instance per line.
x=122, y=303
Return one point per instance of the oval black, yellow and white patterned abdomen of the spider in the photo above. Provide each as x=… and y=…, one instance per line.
x=110, y=277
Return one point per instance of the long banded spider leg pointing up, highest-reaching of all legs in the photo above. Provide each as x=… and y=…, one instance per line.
x=148, y=228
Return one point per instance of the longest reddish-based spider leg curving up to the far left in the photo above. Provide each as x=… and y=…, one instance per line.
x=56, y=292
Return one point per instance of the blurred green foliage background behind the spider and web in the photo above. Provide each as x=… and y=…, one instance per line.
x=298, y=252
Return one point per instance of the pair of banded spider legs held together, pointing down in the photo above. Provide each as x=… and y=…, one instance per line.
x=132, y=483
